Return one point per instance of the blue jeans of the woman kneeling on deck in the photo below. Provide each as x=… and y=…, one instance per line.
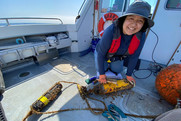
x=116, y=66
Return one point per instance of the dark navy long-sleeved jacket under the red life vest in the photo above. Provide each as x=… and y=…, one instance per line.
x=104, y=45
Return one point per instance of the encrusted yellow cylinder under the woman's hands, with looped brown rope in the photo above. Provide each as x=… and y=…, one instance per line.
x=112, y=85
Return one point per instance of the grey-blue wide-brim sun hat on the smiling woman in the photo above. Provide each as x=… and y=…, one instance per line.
x=140, y=8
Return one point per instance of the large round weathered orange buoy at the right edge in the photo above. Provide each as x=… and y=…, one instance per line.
x=168, y=83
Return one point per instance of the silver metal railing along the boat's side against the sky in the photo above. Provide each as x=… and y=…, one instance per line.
x=18, y=18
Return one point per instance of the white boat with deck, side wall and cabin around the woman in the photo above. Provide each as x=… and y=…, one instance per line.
x=35, y=56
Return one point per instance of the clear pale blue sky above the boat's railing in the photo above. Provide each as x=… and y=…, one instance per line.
x=67, y=10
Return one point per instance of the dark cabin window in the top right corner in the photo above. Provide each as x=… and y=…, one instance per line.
x=173, y=4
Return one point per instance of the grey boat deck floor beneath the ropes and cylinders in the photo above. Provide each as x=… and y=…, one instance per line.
x=27, y=83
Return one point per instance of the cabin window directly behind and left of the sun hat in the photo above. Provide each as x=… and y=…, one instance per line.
x=112, y=6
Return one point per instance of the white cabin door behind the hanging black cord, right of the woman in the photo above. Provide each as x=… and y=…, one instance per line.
x=168, y=33
